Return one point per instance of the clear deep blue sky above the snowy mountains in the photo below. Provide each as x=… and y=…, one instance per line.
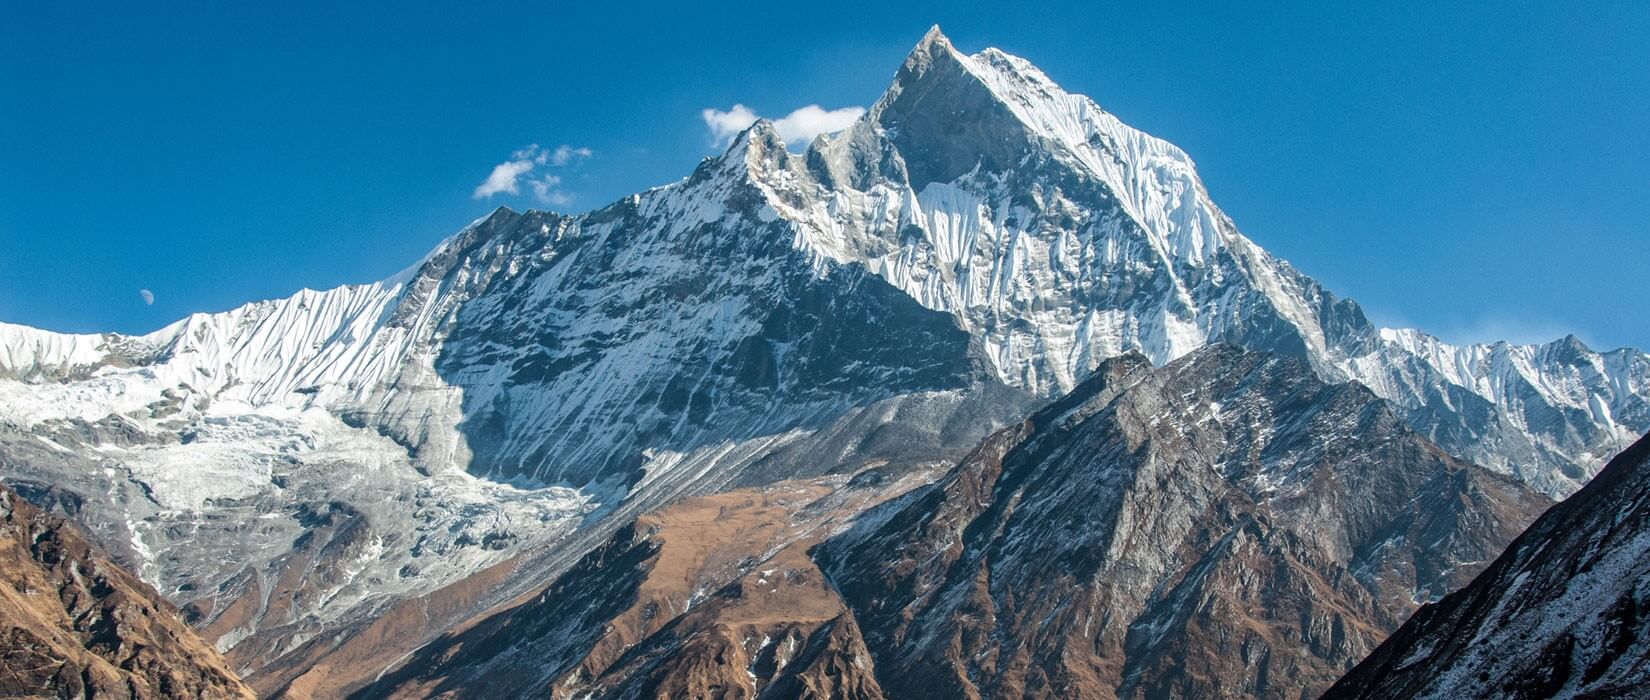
x=1476, y=171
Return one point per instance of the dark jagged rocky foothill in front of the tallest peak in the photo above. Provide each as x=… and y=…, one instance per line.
x=1223, y=527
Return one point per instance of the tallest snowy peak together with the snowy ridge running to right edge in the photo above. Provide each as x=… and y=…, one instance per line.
x=1062, y=237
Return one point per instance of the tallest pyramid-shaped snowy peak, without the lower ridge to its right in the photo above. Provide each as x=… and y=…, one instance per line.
x=983, y=189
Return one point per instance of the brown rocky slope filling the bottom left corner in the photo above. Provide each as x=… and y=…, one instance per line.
x=77, y=625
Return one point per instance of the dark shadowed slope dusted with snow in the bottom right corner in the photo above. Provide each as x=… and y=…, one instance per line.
x=1562, y=613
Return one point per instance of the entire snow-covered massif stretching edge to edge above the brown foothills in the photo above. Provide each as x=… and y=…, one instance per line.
x=979, y=242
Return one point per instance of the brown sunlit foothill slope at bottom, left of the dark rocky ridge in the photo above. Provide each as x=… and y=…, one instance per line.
x=714, y=597
